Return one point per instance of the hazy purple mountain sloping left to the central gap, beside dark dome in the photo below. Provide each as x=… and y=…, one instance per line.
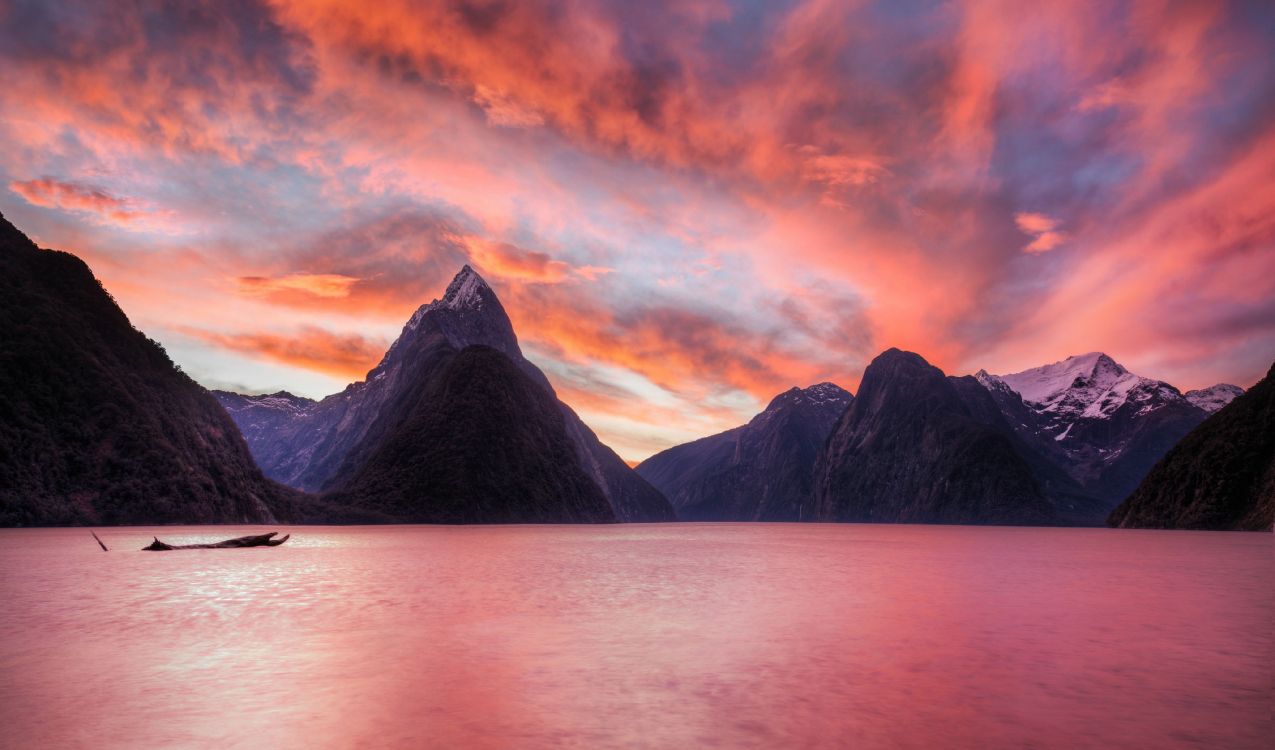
x=761, y=471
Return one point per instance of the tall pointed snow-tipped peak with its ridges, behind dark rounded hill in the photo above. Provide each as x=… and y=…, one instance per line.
x=318, y=447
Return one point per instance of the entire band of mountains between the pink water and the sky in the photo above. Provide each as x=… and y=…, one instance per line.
x=455, y=425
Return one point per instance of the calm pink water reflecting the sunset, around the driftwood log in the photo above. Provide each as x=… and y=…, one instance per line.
x=685, y=636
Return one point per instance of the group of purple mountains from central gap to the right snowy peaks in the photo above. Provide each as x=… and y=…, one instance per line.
x=1059, y=445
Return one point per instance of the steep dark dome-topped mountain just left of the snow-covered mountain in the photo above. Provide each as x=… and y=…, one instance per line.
x=910, y=451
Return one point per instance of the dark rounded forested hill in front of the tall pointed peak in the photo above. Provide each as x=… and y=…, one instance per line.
x=483, y=443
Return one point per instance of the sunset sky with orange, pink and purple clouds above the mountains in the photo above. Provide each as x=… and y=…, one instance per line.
x=685, y=207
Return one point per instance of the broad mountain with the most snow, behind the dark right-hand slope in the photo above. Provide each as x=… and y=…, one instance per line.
x=1096, y=420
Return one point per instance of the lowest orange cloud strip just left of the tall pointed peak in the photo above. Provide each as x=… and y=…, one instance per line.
x=312, y=349
